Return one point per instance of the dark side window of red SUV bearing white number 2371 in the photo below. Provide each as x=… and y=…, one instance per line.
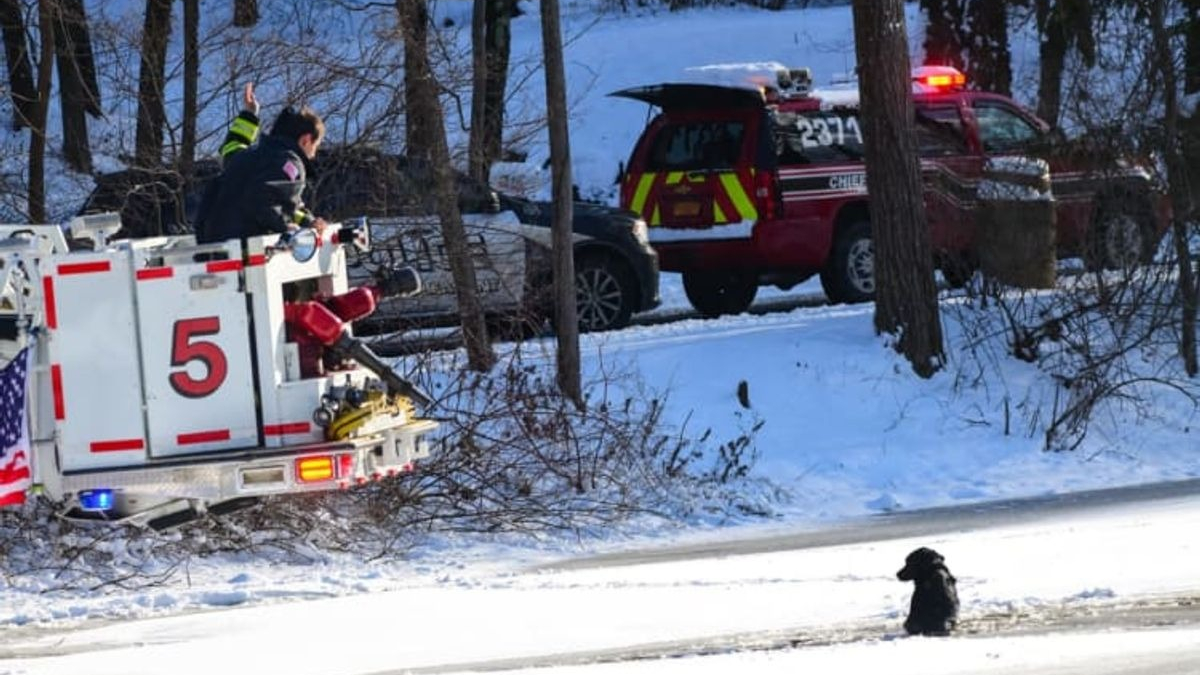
x=818, y=136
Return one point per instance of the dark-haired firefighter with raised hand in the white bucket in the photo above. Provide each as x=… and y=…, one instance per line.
x=261, y=184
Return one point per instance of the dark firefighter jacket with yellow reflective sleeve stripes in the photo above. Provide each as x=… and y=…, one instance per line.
x=260, y=189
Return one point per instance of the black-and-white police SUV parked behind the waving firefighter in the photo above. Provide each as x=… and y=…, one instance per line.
x=616, y=270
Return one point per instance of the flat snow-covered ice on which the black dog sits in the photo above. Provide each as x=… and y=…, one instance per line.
x=507, y=616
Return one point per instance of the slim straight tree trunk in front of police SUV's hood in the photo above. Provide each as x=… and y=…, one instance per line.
x=567, y=322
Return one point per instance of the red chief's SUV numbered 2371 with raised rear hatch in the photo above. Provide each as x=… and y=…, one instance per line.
x=752, y=186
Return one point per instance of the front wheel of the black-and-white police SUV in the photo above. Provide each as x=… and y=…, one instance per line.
x=604, y=292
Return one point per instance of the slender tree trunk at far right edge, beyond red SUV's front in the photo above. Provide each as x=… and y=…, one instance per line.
x=1177, y=174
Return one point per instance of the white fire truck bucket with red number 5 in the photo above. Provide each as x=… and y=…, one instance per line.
x=169, y=379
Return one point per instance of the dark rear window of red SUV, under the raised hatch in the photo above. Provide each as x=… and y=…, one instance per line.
x=698, y=146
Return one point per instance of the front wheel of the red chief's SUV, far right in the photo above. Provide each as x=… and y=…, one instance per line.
x=1123, y=234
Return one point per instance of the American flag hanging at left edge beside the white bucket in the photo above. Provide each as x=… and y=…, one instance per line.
x=15, y=473
